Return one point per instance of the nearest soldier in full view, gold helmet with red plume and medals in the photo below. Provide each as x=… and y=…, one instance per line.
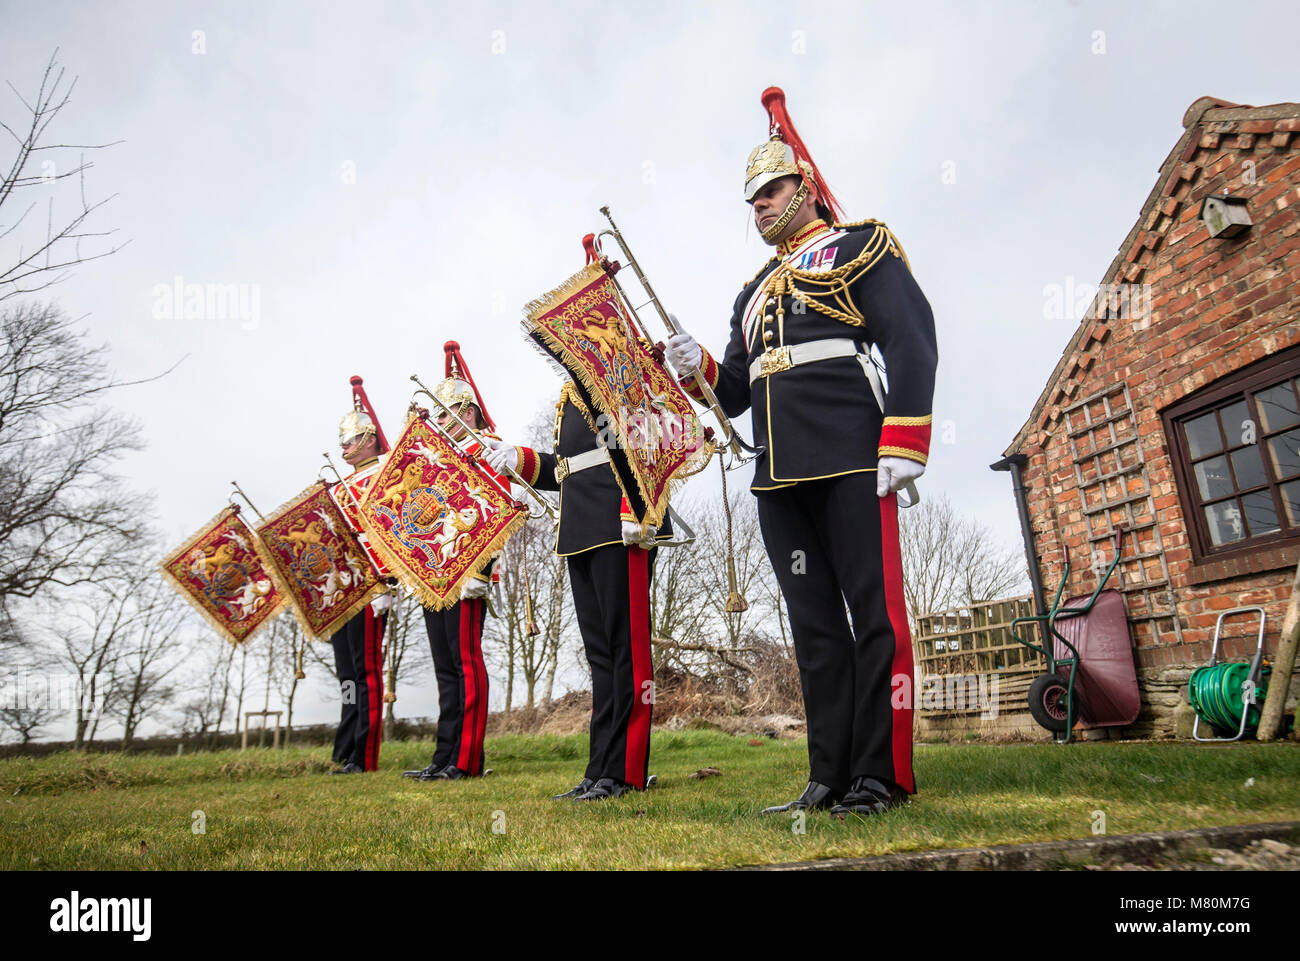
x=839, y=445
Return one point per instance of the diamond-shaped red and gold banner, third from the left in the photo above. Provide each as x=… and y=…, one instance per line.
x=435, y=517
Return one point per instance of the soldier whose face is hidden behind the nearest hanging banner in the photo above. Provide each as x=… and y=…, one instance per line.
x=610, y=564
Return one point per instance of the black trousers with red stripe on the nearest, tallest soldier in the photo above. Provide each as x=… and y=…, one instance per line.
x=834, y=544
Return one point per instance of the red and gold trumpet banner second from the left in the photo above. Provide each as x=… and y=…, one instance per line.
x=317, y=562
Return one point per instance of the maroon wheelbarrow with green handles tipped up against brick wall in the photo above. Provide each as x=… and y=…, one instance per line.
x=1091, y=676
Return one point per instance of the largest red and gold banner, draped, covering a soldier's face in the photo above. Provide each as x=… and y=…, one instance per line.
x=643, y=417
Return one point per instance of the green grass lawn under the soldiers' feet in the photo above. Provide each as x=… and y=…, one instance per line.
x=265, y=810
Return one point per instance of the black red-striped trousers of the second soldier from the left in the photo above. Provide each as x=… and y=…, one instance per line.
x=456, y=642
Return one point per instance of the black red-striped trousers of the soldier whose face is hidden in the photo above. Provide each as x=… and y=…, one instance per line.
x=612, y=596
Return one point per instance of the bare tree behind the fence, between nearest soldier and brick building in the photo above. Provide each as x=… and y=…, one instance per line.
x=950, y=560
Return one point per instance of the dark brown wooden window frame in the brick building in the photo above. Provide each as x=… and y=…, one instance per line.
x=1272, y=370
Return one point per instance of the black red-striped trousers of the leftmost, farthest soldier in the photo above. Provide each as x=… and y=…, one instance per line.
x=359, y=661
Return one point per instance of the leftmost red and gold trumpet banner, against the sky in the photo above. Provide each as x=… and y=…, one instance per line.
x=220, y=573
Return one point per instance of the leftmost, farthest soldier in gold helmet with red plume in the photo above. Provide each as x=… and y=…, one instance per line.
x=359, y=644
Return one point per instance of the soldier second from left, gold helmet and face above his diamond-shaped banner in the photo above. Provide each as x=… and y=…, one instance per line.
x=456, y=634
